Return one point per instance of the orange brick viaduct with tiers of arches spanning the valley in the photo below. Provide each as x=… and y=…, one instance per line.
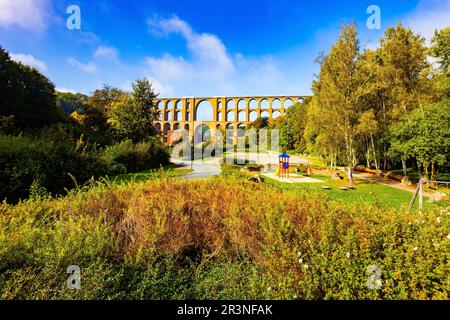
x=217, y=113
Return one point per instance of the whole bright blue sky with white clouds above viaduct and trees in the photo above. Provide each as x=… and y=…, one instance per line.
x=196, y=47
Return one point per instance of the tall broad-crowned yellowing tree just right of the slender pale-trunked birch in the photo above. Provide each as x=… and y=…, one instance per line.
x=401, y=83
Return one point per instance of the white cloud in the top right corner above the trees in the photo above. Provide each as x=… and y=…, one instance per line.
x=429, y=16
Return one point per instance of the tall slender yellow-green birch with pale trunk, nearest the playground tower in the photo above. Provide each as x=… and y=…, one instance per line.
x=340, y=87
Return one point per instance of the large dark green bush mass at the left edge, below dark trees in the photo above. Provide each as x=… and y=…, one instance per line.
x=46, y=161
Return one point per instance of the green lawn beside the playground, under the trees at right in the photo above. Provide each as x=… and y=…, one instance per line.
x=366, y=192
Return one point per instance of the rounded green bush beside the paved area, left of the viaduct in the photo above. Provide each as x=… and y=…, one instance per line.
x=129, y=157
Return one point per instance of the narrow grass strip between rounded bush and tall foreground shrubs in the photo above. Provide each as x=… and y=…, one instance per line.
x=170, y=171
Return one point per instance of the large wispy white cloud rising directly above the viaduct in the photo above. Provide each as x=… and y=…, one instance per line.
x=210, y=69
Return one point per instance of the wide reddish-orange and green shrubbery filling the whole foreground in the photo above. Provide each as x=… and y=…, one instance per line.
x=219, y=239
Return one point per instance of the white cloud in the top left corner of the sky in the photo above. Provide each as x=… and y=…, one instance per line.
x=32, y=15
